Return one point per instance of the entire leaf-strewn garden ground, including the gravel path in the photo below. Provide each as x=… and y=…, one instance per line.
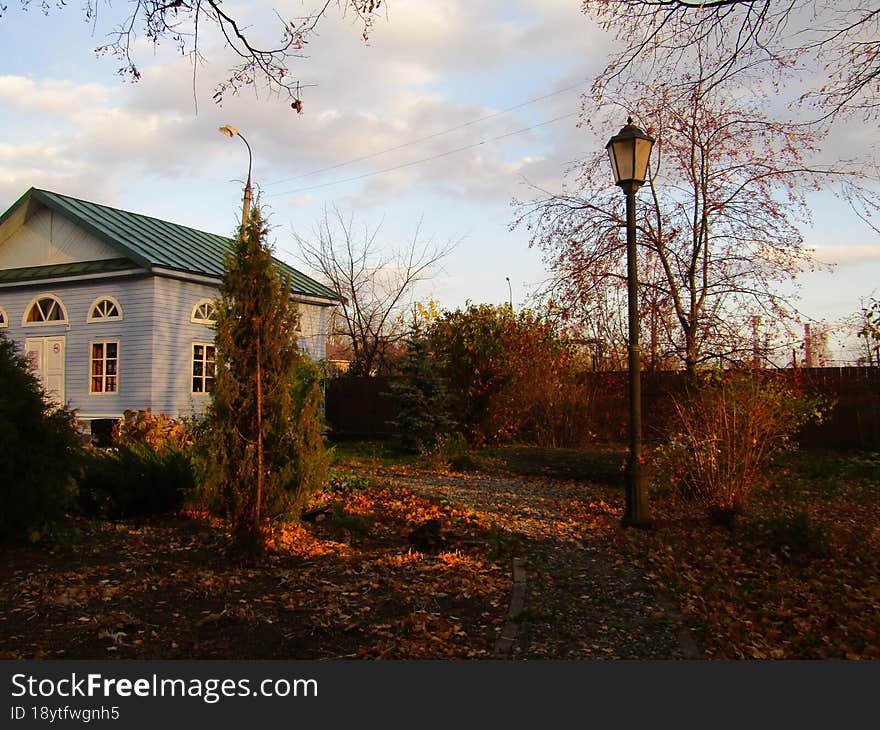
x=796, y=577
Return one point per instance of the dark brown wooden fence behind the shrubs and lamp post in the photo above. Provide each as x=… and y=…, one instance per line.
x=363, y=407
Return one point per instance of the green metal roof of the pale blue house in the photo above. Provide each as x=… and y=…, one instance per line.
x=154, y=243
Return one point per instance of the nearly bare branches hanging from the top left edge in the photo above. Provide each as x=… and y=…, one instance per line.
x=184, y=22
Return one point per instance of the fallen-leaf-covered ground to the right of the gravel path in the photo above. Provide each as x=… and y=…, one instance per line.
x=797, y=576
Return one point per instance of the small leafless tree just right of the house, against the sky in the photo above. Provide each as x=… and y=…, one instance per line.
x=376, y=283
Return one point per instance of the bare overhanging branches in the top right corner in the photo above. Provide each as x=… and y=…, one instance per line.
x=836, y=41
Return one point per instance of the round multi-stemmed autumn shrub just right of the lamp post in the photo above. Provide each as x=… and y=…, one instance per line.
x=725, y=434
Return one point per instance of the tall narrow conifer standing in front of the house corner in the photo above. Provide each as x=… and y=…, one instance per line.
x=256, y=415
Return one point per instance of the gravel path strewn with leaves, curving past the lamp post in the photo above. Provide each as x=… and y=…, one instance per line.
x=583, y=600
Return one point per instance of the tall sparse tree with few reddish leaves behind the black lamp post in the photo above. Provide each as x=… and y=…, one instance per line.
x=718, y=225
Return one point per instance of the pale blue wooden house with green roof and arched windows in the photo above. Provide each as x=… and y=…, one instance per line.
x=114, y=309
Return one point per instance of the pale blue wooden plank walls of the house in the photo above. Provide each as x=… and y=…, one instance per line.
x=155, y=338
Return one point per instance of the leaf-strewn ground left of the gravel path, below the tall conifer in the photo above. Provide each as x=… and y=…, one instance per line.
x=353, y=588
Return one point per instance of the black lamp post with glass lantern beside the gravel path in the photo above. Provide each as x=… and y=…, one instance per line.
x=629, y=151
